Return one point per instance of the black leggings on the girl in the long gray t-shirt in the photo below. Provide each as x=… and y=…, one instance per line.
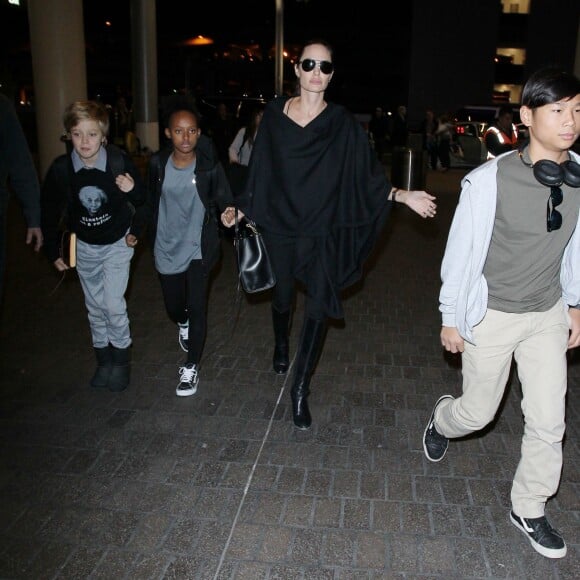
x=185, y=296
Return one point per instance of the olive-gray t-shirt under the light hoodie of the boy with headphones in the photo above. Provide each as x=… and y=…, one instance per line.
x=523, y=264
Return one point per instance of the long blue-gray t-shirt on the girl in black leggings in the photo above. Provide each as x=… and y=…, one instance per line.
x=181, y=215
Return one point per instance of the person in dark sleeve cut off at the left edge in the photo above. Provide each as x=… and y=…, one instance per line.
x=17, y=175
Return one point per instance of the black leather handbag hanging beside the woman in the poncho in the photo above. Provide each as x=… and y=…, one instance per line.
x=254, y=267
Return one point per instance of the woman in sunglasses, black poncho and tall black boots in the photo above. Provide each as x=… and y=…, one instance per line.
x=319, y=194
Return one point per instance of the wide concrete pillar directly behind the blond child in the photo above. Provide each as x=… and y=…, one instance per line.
x=57, y=42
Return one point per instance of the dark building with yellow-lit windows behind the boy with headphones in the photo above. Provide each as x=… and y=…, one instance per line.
x=482, y=51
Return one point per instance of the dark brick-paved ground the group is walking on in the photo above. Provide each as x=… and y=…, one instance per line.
x=146, y=485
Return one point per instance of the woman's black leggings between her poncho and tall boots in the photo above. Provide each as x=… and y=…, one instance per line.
x=282, y=252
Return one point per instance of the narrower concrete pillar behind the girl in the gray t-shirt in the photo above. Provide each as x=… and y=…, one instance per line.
x=144, y=64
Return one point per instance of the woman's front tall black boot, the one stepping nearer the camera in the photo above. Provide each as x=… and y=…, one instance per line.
x=308, y=350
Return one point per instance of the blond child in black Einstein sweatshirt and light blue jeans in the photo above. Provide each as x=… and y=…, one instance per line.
x=103, y=248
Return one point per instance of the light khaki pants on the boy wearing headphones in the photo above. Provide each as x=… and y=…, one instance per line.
x=538, y=342
